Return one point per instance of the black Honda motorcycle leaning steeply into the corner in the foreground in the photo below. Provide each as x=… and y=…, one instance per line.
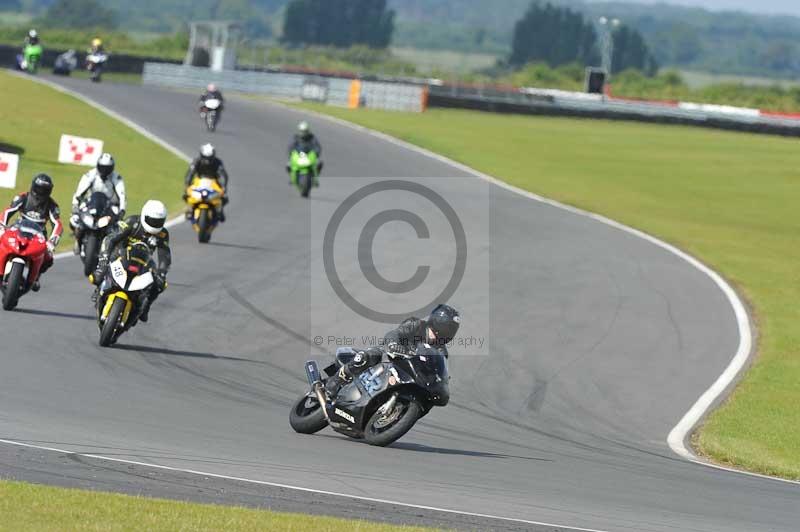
x=379, y=405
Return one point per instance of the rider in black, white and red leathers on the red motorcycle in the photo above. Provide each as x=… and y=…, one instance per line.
x=38, y=206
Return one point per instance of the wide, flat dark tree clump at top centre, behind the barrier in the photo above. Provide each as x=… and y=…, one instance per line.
x=340, y=23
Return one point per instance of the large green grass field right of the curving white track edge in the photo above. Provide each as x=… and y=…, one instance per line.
x=731, y=199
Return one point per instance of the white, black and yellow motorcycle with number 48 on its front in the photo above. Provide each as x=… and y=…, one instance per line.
x=122, y=292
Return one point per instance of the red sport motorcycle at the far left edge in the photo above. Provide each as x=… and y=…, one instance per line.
x=23, y=248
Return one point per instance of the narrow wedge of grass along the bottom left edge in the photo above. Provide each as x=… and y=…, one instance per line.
x=28, y=507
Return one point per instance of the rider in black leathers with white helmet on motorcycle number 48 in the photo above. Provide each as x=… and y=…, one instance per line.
x=148, y=228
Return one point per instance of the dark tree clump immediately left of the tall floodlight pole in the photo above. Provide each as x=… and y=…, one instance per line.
x=554, y=35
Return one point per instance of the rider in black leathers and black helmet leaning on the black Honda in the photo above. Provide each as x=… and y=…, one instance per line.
x=437, y=330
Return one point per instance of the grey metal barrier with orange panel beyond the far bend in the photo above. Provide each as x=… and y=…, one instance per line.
x=333, y=91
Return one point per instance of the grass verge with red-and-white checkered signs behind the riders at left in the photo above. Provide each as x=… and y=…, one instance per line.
x=34, y=119
